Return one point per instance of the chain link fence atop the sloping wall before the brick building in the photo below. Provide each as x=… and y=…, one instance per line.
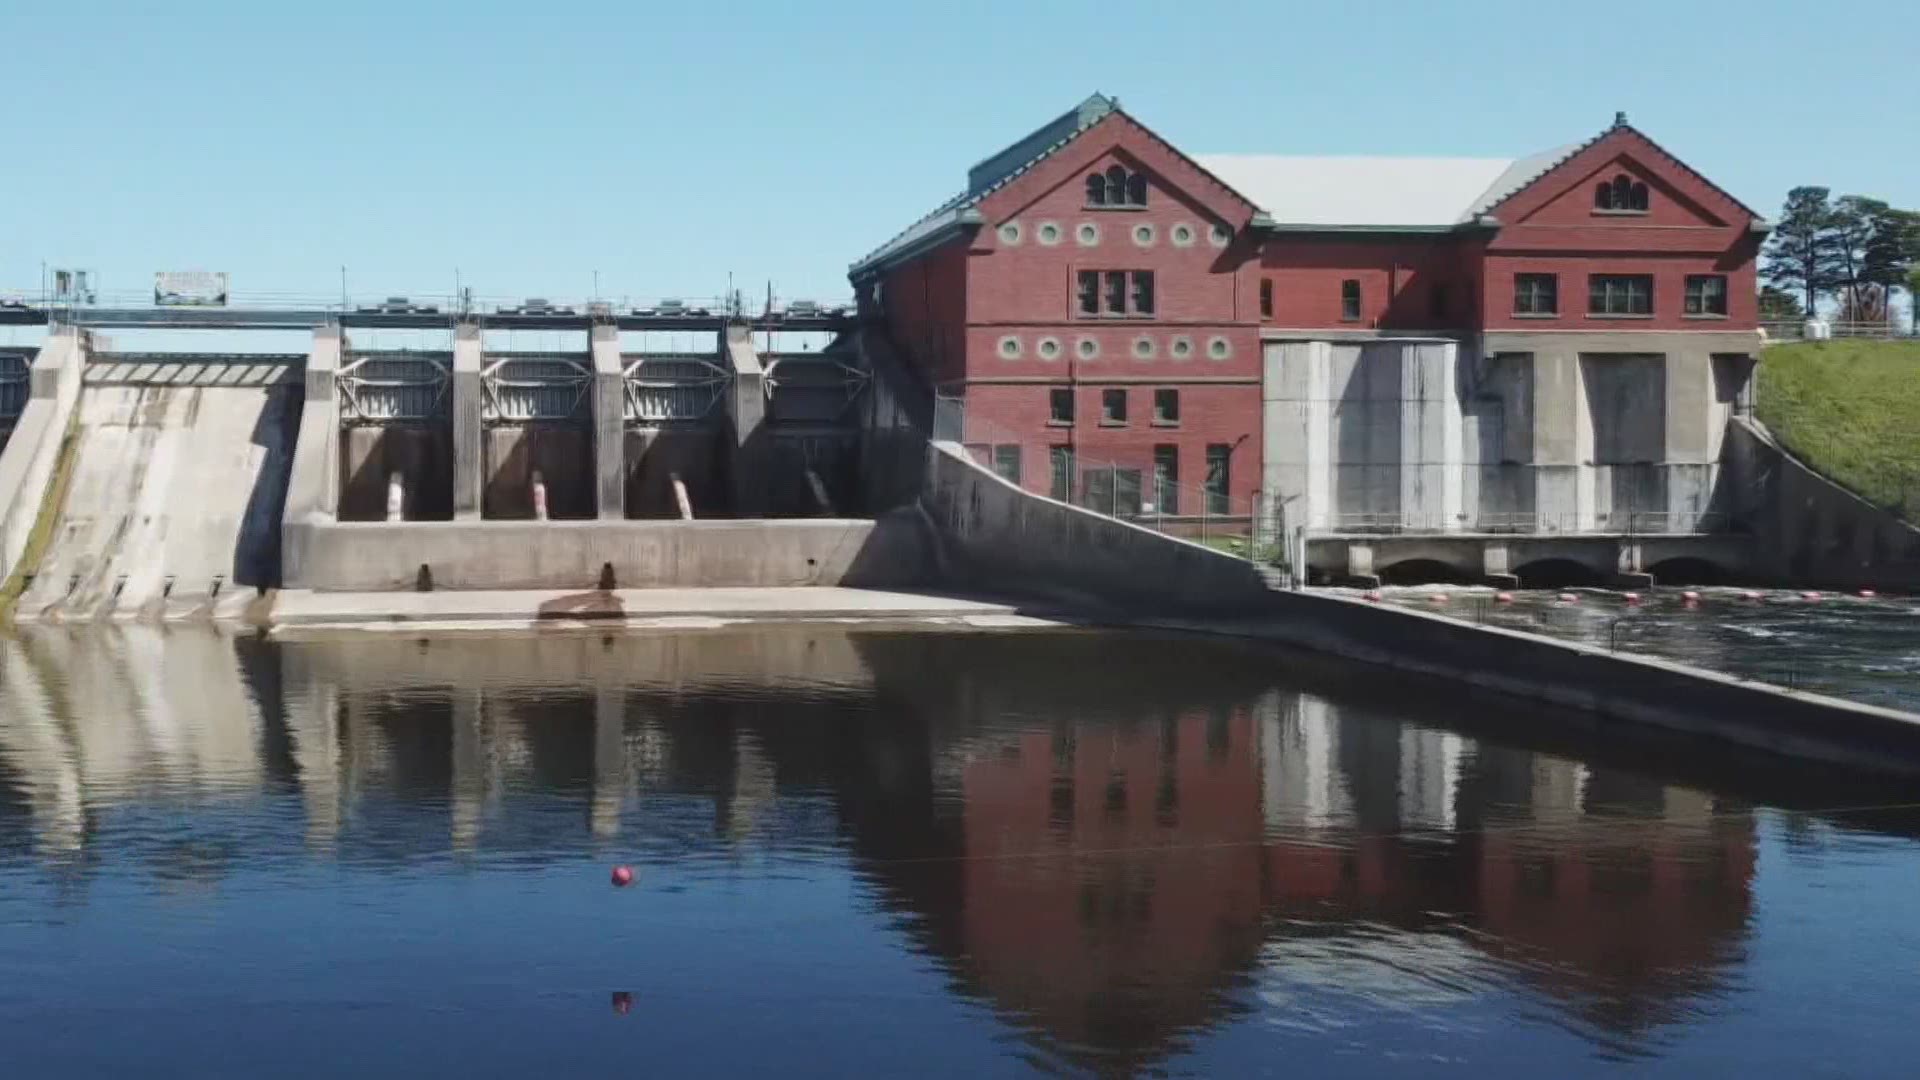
x=1170, y=485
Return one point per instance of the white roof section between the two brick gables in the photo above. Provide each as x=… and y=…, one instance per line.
x=1374, y=191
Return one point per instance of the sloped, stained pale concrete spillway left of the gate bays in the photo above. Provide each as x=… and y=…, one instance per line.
x=178, y=478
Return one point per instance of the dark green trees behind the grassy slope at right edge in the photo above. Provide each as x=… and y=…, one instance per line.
x=1852, y=249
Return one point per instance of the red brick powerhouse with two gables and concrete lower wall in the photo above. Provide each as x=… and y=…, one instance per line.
x=1095, y=295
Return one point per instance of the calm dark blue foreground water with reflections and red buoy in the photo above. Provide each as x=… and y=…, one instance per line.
x=905, y=854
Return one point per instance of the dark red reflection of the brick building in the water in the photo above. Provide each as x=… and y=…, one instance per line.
x=1124, y=871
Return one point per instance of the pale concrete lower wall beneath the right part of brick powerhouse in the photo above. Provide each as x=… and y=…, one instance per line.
x=1497, y=453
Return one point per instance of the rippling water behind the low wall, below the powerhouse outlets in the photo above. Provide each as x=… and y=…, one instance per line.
x=1848, y=647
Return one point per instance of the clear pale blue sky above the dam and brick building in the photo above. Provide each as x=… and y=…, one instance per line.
x=527, y=147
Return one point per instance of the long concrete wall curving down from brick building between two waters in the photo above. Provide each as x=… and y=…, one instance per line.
x=996, y=537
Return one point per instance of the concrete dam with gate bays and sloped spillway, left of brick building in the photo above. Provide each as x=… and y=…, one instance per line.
x=199, y=485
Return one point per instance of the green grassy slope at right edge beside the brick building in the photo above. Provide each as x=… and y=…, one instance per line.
x=1852, y=410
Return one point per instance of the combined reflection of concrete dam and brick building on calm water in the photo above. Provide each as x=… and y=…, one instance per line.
x=1099, y=837
